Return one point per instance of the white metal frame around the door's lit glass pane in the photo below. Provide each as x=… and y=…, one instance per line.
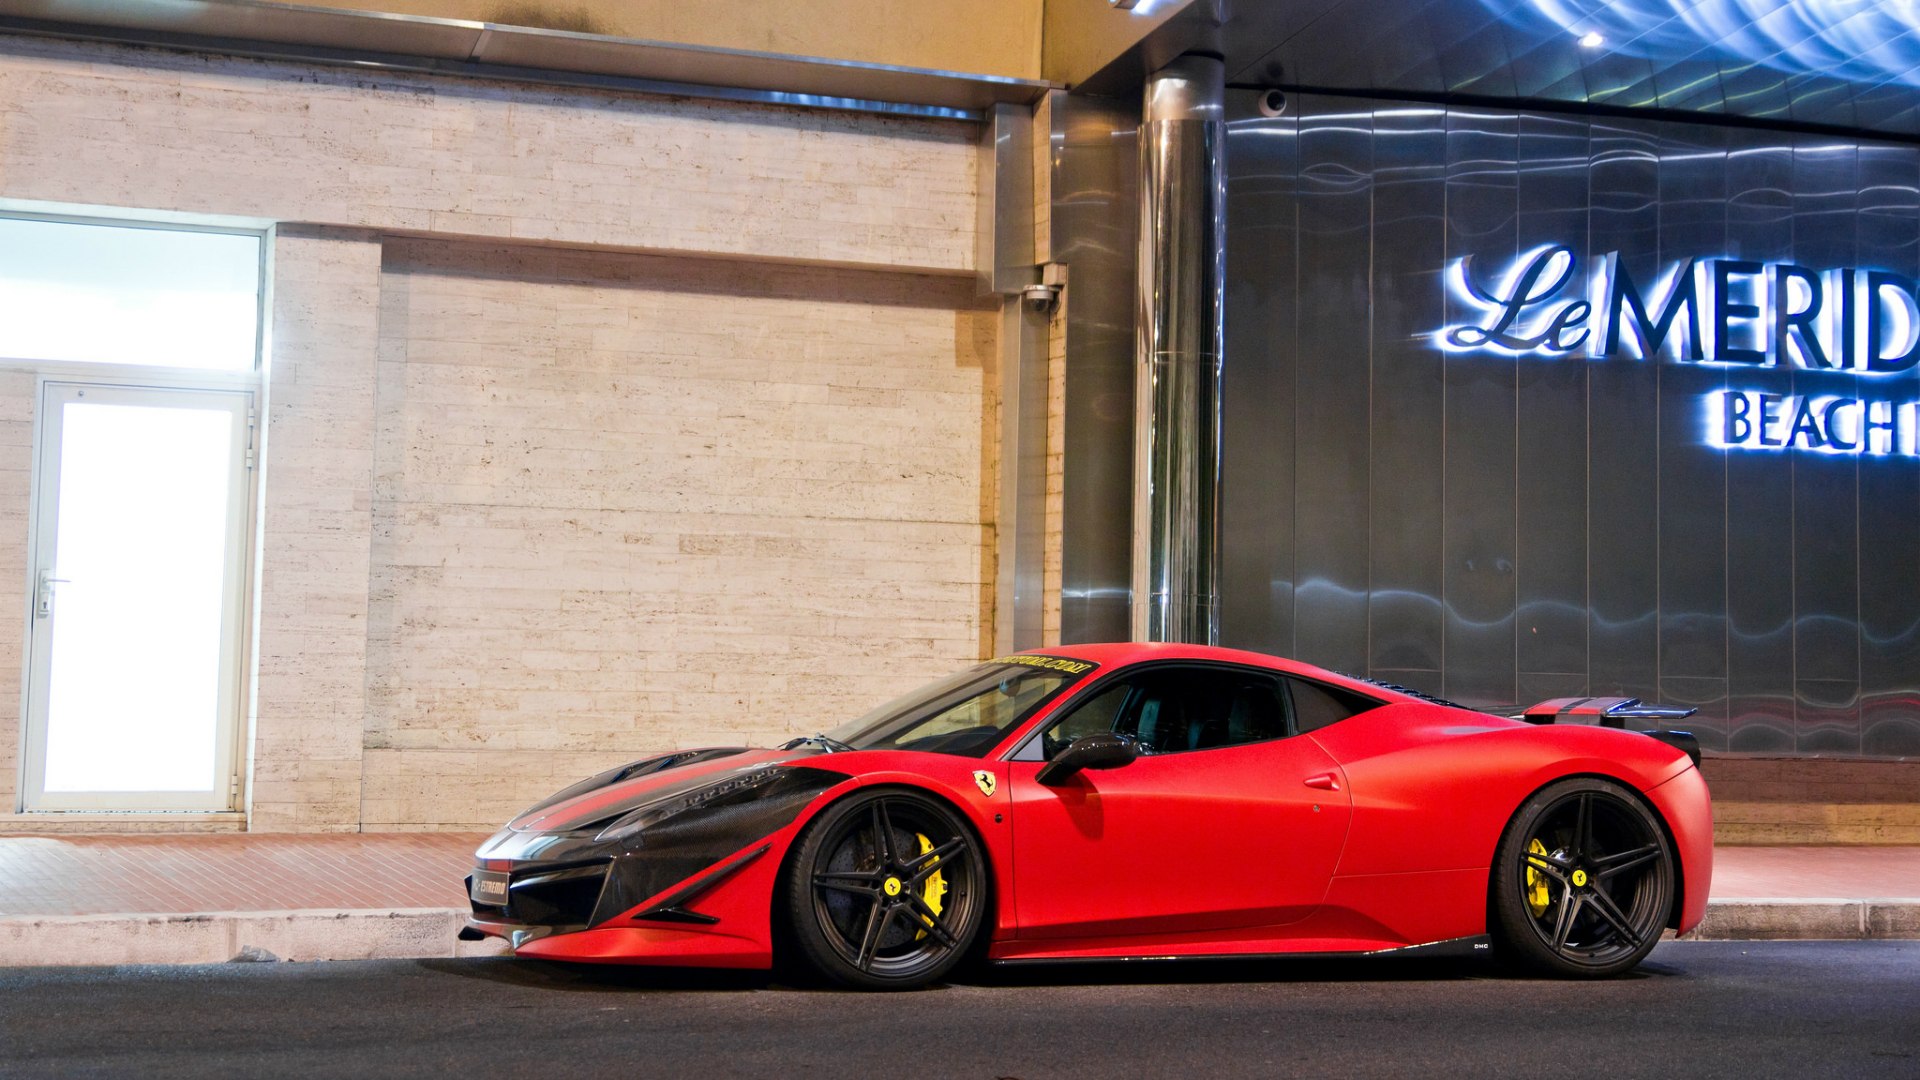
x=247, y=537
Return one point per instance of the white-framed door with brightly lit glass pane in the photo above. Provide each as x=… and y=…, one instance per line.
x=137, y=587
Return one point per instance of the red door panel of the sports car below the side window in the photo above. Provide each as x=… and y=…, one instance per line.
x=1176, y=843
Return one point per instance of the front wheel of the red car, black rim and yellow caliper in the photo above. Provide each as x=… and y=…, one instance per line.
x=886, y=891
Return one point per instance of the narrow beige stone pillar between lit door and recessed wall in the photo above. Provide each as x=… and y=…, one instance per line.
x=318, y=528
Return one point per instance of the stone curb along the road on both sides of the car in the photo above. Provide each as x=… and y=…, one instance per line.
x=429, y=933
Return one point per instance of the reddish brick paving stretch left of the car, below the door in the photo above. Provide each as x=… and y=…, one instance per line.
x=166, y=875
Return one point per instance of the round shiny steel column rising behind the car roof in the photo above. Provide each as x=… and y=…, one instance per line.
x=1176, y=456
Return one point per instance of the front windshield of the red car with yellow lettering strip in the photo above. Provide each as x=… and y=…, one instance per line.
x=965, y=714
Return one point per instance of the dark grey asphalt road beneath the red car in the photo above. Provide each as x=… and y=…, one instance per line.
x=1742, y=1010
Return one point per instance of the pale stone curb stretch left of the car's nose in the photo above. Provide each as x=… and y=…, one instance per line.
x=312, y=935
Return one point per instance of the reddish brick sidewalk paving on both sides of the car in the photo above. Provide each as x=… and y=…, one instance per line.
x=176, y=875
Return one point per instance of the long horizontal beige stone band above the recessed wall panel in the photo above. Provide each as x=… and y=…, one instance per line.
x=151, y=130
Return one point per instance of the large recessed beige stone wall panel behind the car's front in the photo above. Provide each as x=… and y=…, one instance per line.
x=631, y=504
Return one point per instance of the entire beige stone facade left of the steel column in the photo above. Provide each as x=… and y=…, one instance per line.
x=594, y=426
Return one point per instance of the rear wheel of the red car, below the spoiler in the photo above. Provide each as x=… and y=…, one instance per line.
x=1583, y=881
